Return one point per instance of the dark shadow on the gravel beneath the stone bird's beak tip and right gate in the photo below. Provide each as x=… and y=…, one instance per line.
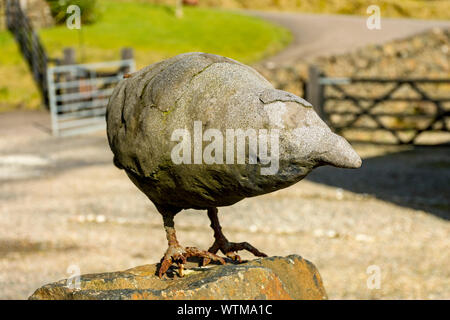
x=418, y=178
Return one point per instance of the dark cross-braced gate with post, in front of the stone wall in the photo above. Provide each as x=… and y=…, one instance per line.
x=383, y=110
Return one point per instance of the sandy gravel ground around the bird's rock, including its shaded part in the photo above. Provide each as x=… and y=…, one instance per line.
x=62, y=203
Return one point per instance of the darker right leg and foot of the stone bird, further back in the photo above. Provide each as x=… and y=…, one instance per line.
x=221, y=243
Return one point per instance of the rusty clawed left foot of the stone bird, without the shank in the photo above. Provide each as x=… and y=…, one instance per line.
x=179, y=255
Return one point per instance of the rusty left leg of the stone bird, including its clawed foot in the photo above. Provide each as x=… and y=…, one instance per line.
x=176, y=253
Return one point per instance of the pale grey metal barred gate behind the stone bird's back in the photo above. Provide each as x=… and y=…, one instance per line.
x=79, y=93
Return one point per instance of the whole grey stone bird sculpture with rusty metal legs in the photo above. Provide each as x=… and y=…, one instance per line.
x=203, y=131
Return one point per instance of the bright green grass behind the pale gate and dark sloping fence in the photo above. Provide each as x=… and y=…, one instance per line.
x=155, y=34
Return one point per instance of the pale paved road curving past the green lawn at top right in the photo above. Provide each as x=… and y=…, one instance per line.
x=322, y=35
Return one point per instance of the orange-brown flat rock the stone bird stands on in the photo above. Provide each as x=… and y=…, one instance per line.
x=271, y=278
